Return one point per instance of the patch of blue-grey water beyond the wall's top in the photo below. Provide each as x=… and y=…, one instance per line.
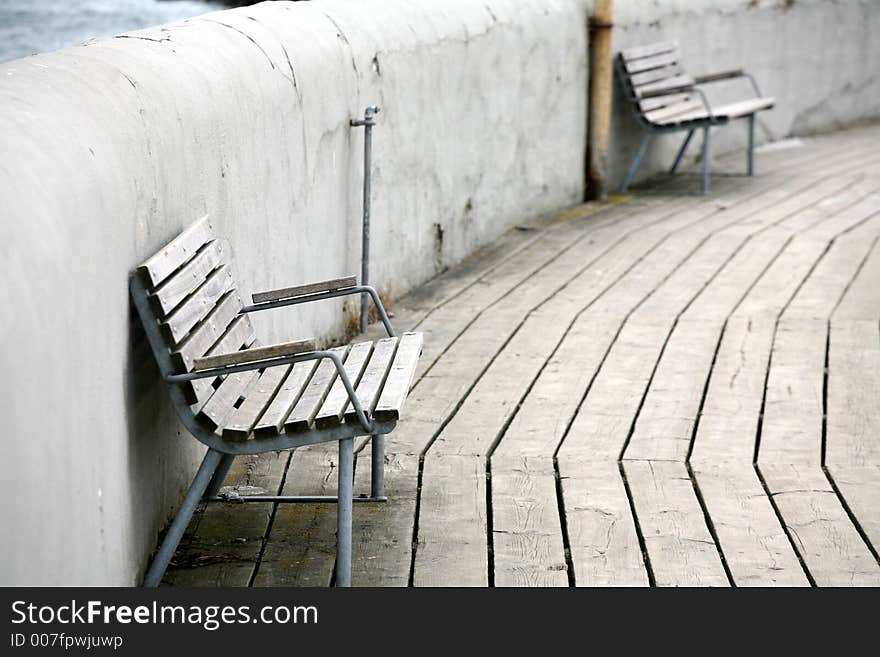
x=31, y=26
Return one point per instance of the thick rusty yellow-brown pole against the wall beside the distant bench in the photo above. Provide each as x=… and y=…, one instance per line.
x=599, y=110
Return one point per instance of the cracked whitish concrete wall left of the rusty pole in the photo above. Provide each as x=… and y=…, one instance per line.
x=112, y=147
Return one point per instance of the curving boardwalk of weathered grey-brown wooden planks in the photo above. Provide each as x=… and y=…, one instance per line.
x=674, y=391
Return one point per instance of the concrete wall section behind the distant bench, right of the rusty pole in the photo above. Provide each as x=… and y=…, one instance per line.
x=818, y=58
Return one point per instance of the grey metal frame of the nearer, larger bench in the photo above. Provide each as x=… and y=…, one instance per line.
x=221, y=452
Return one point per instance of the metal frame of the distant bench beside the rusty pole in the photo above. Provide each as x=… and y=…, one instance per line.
x=649, y=129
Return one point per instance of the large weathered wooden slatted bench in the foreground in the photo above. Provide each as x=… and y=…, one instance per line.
x=240, y=397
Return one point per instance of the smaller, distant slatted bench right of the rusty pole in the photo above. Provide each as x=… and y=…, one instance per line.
x=666, y=99
